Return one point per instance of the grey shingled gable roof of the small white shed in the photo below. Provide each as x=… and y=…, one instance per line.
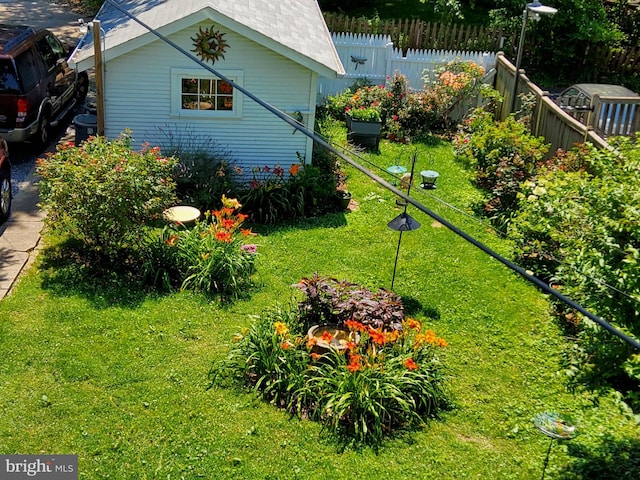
x=293, y=28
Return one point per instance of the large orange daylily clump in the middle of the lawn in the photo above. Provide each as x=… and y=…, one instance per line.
x=379, y=381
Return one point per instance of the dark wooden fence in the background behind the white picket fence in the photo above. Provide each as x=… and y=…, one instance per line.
x=417, y=34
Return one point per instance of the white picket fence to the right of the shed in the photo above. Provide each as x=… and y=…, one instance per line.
x=375, y=58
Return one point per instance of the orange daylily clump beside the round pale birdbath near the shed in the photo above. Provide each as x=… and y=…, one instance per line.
x=209, y=257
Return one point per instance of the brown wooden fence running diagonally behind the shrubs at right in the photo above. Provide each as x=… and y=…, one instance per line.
x=548, y=119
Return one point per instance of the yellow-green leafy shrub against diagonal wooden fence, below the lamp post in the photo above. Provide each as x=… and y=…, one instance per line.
x=504, y=155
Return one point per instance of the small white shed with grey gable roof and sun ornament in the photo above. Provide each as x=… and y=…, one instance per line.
x=275, y=50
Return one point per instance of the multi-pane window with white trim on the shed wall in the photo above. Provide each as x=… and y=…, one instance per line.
x=200, y=94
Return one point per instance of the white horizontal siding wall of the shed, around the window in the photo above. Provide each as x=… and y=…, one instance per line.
x=138, y=96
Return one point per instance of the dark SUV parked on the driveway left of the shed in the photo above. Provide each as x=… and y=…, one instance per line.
x=37, y=86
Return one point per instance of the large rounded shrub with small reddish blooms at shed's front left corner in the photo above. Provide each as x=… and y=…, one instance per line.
x=104, y=194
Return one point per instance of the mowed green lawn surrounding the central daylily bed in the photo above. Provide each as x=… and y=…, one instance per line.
x=119, y=376
